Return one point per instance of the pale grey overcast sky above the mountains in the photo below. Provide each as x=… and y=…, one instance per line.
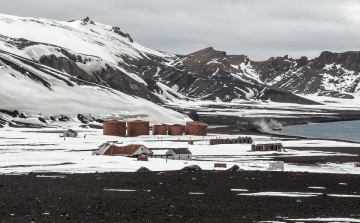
x=257, y=28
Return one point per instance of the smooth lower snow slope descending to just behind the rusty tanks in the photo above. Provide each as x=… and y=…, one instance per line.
x=32, y=88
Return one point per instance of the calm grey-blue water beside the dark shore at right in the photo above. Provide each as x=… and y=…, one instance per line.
x=349, y=130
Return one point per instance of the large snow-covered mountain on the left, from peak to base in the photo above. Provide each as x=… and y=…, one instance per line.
x=81, y=83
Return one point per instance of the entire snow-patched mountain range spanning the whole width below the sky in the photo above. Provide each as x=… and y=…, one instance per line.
x=81, y=66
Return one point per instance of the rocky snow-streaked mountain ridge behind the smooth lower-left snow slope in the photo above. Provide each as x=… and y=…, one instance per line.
x=84, y=50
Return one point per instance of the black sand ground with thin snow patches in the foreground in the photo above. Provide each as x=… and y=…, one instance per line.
x=82, y=198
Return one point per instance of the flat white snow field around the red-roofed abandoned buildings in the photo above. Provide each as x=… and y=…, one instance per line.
x=42, y=150
